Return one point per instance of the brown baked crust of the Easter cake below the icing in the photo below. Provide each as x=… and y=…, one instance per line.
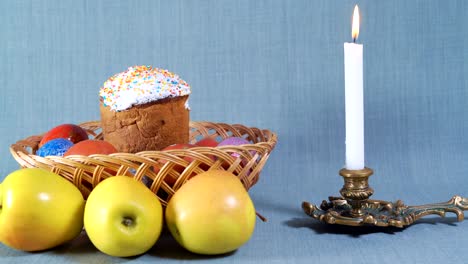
x=151, y=126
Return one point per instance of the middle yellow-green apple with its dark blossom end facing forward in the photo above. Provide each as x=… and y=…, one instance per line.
x=123, y=217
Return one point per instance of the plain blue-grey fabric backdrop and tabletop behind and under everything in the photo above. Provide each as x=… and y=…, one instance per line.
x=269, y=64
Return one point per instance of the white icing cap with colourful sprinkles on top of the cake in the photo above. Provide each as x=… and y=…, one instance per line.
x=139, y=85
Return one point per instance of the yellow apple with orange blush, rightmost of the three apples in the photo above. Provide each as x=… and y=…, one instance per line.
x=211, y=213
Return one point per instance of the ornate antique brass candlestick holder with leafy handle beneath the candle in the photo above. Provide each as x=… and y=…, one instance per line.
x=354, y=208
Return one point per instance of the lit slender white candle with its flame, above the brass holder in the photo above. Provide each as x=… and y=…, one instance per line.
x=354, y=102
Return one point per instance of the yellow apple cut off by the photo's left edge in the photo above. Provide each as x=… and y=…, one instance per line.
x=39, y=210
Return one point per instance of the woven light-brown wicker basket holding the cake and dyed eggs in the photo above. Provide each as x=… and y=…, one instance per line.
x=164, y=172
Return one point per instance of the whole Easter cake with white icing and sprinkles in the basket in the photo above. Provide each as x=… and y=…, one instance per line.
x=144, y=108
